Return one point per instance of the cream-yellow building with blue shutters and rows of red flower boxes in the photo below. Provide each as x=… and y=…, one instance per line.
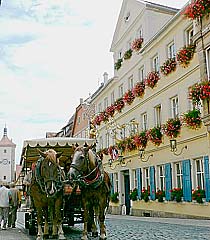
x=147, y=106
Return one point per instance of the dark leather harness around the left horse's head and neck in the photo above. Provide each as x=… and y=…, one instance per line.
x=40, y=180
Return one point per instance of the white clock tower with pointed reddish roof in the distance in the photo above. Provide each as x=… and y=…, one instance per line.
x=7, y=159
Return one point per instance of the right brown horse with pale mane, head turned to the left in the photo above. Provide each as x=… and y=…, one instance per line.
x=87, y=171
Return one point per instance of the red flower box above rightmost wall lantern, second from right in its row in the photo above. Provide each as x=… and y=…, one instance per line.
x=172, y=127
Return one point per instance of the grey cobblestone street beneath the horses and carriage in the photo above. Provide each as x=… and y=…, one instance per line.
x=129, y=227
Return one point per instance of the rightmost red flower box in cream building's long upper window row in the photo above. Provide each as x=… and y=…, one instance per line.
x=185, y=55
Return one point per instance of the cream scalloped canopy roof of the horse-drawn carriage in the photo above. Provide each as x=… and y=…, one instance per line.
x=65, y=145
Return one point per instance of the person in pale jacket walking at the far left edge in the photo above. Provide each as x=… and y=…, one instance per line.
x=5, y=198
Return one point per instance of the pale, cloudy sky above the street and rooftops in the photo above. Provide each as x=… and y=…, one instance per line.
x=52, y=53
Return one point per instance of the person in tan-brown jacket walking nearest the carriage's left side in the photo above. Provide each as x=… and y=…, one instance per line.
x=15, y=203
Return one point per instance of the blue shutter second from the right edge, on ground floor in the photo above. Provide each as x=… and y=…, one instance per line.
x=187, y=183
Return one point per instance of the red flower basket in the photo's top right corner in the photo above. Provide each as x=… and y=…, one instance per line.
x=197, y=9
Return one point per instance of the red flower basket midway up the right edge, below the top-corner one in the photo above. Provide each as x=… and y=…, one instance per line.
x=199, y=92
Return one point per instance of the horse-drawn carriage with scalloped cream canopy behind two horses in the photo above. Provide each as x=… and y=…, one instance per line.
x=71, y=213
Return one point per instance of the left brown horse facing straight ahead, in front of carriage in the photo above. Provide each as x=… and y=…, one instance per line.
x=46, y=191
